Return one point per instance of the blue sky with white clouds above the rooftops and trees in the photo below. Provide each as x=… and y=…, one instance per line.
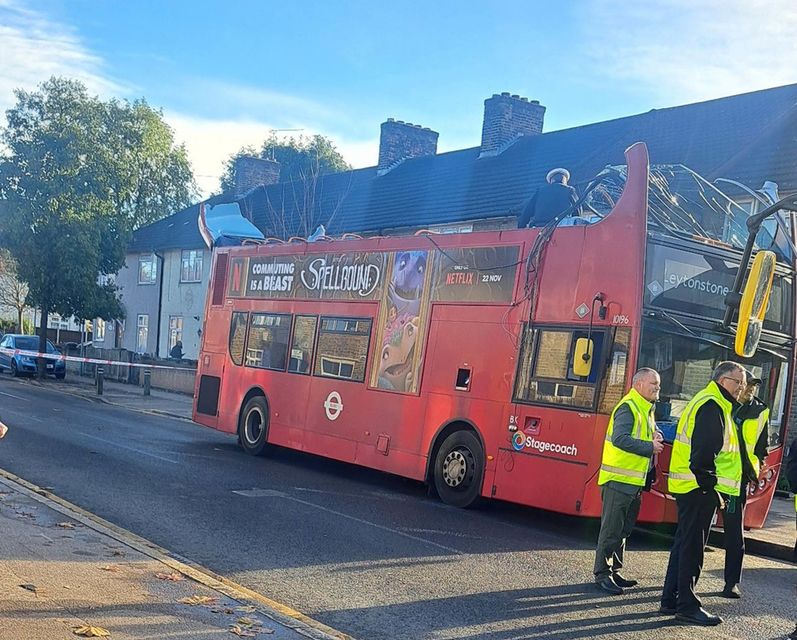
x=225, y=73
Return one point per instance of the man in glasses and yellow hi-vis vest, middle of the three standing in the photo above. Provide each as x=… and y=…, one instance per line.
x=705, y=471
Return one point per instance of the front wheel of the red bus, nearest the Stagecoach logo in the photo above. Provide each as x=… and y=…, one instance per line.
x=459, y=469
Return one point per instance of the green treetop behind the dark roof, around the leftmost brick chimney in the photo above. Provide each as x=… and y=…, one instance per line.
x=301, y=158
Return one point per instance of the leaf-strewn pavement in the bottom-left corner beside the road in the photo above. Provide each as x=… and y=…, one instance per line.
x=65, y=573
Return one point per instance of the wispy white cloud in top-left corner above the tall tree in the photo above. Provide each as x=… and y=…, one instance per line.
x=35, y=48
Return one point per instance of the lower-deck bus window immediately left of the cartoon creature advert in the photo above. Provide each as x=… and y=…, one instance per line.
x=342, y=348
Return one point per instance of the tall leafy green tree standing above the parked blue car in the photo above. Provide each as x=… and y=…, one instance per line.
x=77, y=174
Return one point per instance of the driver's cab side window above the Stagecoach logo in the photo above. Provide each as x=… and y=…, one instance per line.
x=546, y=375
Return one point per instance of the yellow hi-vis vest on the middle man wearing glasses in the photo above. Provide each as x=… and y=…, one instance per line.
x=728, y=463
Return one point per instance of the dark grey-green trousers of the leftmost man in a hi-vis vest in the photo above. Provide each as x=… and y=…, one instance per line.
x=618, y=517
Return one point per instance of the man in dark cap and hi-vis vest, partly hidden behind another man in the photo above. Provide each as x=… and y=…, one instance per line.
x=752, y=422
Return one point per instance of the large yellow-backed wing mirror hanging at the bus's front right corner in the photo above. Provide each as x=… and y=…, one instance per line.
x=754, y=303
